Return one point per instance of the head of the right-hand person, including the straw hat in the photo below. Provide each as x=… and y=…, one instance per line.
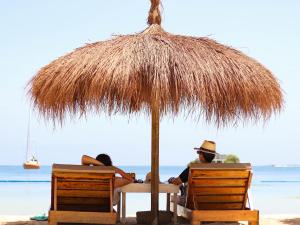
x=207, y=151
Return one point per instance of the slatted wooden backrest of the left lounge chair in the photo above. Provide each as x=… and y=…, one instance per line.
x=82, y=188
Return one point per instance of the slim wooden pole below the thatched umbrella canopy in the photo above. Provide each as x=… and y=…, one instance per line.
x=155, y=164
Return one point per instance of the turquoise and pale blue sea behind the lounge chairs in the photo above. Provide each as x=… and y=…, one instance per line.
x=27, y=192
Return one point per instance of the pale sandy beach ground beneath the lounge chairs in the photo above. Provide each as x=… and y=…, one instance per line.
x=278, y=219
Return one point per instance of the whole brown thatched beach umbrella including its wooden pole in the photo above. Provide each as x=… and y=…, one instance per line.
x=158, y=73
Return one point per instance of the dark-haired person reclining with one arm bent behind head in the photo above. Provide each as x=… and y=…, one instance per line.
x=105, y=160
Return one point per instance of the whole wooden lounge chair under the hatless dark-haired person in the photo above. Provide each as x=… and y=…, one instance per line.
x=82, y=194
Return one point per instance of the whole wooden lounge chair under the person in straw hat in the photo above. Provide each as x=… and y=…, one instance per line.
x=218, y=192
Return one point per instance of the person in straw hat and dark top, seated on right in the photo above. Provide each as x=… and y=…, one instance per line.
x=206, y=154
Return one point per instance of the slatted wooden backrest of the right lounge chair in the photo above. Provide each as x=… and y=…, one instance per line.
x=218, y=186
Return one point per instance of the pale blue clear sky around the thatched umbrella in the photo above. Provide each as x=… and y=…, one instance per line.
x=33, y=33
